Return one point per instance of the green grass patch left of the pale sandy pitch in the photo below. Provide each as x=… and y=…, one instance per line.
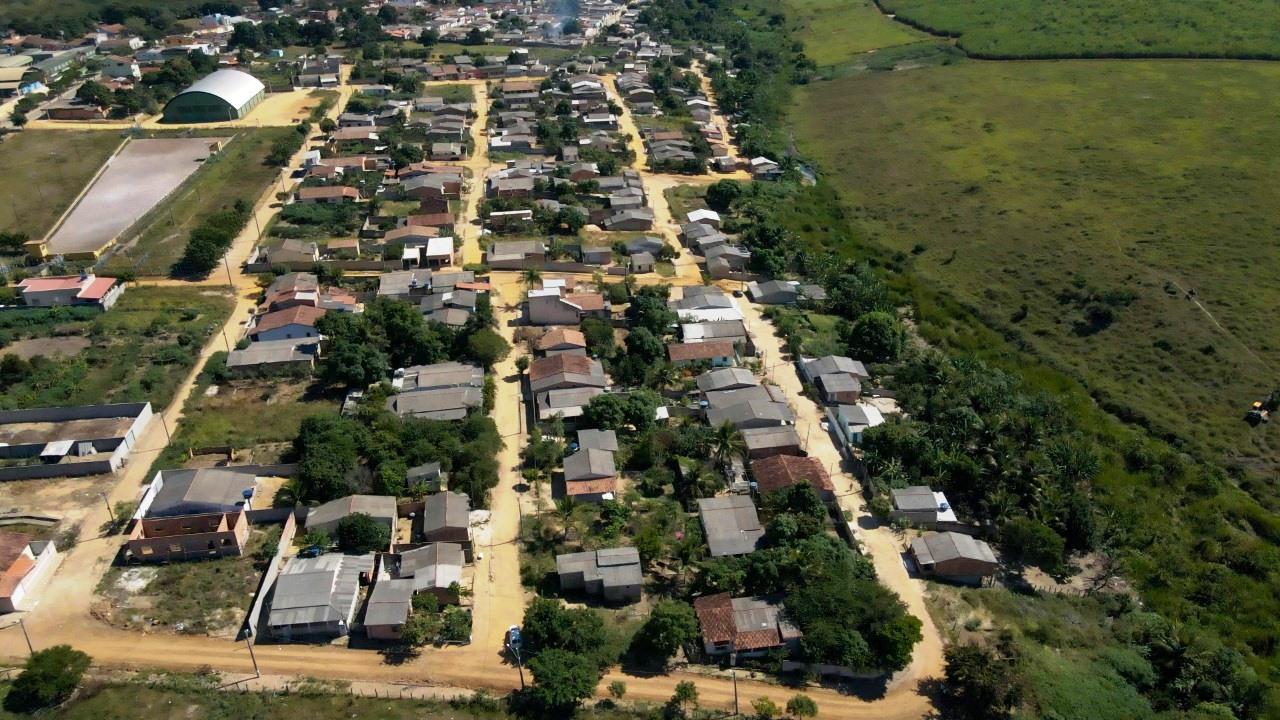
x=44, y=172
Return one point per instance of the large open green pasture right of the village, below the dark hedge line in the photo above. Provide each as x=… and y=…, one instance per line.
x=1114, y=217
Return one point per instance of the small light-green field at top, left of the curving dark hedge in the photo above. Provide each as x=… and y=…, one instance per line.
x=835, y=31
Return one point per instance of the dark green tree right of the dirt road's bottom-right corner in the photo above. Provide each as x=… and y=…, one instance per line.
x=980, y=682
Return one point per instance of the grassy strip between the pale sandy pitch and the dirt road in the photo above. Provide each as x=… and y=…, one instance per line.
x=153, y=245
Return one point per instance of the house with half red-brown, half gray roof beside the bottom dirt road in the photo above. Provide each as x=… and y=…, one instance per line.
x=744, y=627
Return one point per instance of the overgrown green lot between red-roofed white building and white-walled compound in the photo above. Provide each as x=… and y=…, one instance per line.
x=140, y=350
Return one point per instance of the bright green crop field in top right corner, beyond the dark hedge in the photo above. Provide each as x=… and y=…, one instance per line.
x=1091, y=29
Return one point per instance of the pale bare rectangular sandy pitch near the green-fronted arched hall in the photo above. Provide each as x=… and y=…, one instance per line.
x=140, y=177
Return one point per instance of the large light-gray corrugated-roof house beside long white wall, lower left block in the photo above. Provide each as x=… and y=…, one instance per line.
x=317, y=598
